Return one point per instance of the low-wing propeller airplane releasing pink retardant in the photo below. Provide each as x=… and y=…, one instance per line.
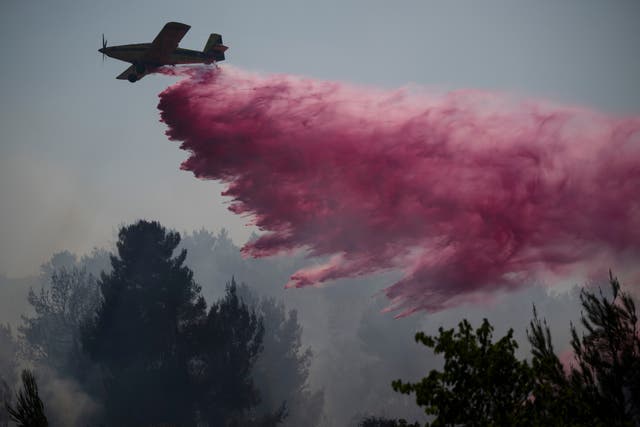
x=145, y=58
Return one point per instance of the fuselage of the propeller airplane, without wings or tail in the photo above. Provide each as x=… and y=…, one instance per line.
x=136, y=54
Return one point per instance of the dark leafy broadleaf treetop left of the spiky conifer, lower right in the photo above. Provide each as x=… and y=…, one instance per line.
x=482, y=382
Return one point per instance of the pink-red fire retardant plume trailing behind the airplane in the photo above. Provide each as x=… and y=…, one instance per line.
x=466, y=192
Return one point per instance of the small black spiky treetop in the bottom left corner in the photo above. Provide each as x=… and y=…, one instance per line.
x=29, y=410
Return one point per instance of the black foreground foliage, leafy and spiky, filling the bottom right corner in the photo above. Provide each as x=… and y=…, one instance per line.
x=482, y=383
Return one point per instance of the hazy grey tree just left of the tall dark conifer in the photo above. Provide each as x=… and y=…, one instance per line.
x=61, y=308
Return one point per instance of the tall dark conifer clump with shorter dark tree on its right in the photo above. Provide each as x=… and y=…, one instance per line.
x=165, y=358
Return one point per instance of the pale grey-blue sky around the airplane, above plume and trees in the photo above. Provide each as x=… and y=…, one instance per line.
x=82, y=153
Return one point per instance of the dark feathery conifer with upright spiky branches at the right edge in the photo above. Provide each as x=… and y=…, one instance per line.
x=603, y=386
